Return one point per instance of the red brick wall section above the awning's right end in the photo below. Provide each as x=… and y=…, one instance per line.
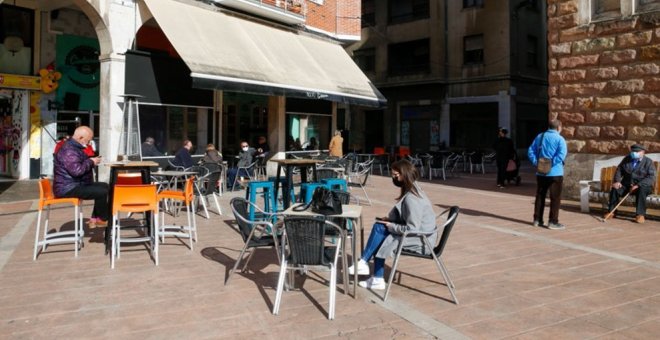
x=338, y=17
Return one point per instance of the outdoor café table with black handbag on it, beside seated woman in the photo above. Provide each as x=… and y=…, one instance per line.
x=351, y=212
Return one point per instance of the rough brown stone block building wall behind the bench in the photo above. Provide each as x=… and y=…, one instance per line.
x=604, y=60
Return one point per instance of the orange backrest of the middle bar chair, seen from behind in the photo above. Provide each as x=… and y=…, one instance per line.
x=132, y=198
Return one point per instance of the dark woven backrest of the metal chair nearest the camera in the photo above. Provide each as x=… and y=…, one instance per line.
x=306, y=239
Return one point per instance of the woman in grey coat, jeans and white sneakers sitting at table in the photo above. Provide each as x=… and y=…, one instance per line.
x=412, y=211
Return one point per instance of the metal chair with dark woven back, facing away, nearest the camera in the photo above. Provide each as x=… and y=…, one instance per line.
x=305, y=237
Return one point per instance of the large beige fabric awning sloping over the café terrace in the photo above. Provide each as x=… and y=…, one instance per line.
x=233, y=54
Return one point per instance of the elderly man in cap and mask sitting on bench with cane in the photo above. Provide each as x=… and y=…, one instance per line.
x=635, y=174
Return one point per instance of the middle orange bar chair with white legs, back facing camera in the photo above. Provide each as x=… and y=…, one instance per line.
x=132, y=199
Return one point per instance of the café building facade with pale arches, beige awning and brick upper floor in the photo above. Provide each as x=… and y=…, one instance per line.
x=210, y=71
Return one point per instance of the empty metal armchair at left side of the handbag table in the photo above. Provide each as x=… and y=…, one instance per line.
x=256, y=234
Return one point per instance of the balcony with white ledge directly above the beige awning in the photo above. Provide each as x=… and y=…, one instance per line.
x=286, y=11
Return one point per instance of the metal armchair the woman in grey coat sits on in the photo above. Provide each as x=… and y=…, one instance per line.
x=435, y=255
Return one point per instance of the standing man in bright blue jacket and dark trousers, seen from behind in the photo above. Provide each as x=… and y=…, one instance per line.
x=550, y=145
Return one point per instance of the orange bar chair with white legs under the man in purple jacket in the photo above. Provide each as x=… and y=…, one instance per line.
x=47, y=199
